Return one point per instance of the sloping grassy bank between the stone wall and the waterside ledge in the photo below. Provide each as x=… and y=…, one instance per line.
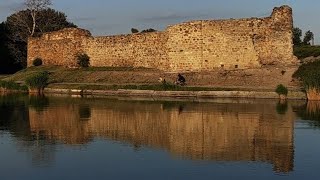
x=114, y=78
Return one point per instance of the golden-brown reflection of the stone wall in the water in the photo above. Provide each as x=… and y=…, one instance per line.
x=206, y=131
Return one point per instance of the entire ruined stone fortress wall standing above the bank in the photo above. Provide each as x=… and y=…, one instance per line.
x=202, y=45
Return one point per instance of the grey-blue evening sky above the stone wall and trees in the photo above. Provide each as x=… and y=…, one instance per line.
x=109, y=17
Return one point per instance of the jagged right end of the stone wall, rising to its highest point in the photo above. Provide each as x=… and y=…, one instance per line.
x=272, y=37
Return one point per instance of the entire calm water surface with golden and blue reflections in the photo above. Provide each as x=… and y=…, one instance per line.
x=95, y=138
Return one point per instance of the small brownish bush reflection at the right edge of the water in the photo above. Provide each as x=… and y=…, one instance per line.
x=310, y=111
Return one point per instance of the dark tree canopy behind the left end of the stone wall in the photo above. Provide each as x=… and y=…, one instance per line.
x=18, y=29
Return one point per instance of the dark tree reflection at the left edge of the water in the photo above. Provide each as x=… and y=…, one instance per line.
x=14, y=119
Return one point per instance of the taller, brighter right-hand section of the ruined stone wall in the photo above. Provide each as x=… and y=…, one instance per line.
x=232, y=44
